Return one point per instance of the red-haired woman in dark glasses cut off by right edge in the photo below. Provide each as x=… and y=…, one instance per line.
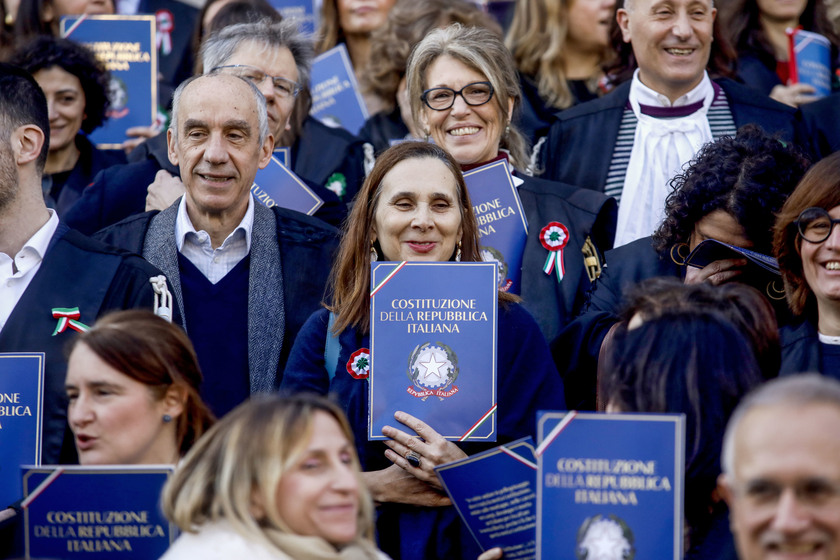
x=807, y=245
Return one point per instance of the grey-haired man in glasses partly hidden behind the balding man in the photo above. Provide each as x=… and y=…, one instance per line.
x=277, y=58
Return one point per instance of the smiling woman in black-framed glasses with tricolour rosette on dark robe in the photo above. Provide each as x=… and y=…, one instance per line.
x=464, y=92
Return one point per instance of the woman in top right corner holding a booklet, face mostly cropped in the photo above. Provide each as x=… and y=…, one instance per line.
x=756, y=29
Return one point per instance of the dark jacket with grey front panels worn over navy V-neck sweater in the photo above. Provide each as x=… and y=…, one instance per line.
x=291, y=256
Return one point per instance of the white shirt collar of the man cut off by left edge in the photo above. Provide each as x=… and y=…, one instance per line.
x=17, y=273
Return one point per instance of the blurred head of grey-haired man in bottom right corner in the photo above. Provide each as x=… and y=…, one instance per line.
x=781, y=470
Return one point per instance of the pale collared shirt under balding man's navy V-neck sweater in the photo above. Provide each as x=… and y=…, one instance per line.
x=197, y=246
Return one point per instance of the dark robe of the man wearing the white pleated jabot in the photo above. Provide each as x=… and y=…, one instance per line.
x=580, y=143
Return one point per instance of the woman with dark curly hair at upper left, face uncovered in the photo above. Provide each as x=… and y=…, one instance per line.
x=76, y=87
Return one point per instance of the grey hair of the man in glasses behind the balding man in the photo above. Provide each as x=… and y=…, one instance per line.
x=220, y=46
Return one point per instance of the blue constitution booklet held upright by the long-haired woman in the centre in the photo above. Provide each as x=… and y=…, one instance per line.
x=433, y=347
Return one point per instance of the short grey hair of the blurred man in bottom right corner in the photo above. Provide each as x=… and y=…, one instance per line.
x=796, y=390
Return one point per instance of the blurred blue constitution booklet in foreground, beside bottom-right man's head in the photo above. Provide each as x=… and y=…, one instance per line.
x=611, y=483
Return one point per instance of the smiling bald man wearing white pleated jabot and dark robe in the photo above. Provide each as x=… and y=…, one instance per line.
x=631, y=142
